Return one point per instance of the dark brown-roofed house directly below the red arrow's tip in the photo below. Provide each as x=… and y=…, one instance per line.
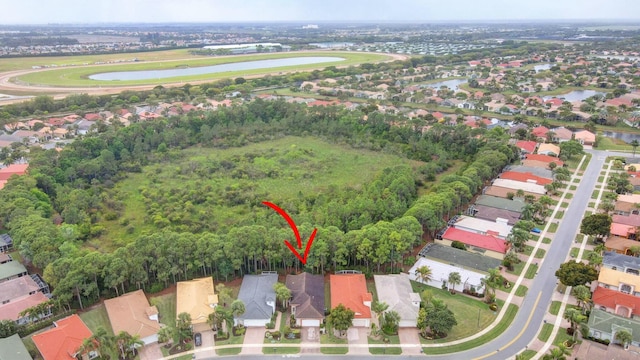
x=307, y=298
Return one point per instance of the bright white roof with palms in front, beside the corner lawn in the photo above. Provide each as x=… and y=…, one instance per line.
x=471, y=280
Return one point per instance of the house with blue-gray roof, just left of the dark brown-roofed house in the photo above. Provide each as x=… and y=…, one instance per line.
x=259, y=298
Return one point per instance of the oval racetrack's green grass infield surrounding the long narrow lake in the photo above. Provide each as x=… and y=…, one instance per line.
x=79, y=75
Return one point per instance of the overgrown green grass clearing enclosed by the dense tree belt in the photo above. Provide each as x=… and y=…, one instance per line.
x=305, y=166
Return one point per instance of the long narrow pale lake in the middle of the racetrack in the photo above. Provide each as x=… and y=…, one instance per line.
x=213, y=69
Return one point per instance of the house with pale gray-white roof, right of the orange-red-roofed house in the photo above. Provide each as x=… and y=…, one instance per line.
x=395, y=290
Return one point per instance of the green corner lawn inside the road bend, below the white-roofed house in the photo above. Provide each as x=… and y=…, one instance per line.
x=472, y=315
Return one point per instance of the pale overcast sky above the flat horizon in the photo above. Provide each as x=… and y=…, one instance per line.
x=420, y=11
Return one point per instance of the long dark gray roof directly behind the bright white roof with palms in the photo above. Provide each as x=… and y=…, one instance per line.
x=459, y=257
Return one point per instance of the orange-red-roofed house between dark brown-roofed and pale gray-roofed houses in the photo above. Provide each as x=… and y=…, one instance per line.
x=350, y=290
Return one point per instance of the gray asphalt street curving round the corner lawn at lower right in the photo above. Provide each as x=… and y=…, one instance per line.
x=530, y=315
